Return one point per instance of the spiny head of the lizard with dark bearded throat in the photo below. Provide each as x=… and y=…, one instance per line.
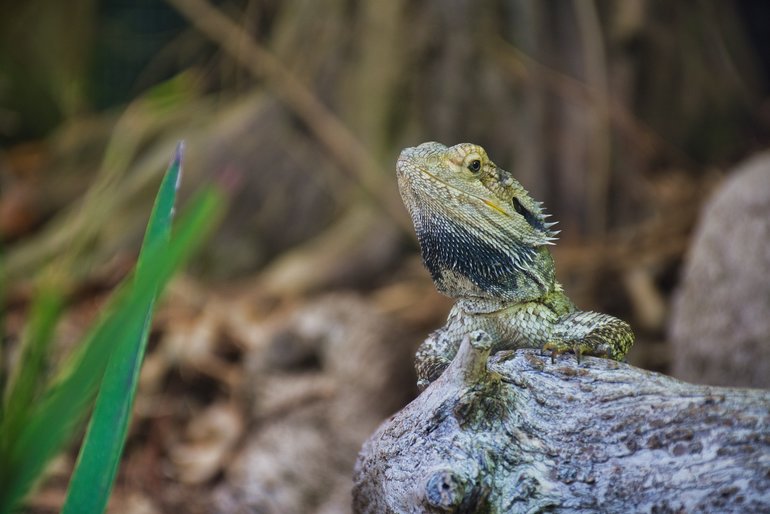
x=480, y=232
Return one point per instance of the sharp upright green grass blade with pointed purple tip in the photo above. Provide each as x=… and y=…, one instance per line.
x=97, y=464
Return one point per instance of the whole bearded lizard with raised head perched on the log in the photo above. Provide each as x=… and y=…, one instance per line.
x=485, y=242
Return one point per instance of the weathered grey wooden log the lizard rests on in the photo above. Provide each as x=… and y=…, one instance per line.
x=518, y=433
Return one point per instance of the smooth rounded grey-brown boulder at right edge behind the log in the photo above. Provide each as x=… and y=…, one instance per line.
x=720, y=322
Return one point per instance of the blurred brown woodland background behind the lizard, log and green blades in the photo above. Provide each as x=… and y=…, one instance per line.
x=641, y=124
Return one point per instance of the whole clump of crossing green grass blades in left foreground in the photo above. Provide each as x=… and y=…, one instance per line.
x=44, y=403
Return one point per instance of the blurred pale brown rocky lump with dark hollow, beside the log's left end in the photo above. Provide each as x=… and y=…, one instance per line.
x=325, y=377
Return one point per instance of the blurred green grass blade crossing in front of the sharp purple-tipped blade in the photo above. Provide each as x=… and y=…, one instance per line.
x=55, y=418
